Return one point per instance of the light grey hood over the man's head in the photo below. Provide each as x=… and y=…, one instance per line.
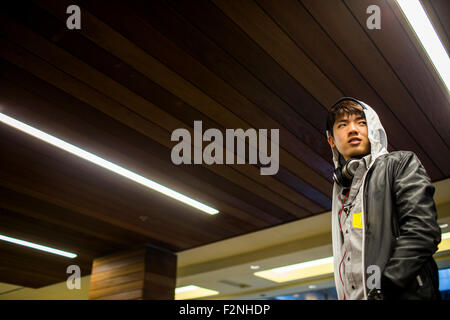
x=376, y=134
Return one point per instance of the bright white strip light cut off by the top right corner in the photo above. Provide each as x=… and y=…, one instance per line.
x=424, y=30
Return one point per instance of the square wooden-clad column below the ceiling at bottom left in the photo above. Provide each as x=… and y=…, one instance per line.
x=147, y=273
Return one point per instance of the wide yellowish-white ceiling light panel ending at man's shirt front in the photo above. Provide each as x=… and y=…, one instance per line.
x=298, y=271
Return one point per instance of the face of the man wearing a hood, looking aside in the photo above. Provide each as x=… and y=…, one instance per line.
x=350, y=136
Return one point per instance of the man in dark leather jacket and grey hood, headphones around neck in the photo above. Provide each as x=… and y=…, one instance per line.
x=384, y=221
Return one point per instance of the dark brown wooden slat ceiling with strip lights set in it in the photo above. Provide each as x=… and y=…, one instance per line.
x=137, y=70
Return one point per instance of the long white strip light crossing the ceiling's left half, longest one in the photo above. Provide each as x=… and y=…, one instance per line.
x=104, y=163
